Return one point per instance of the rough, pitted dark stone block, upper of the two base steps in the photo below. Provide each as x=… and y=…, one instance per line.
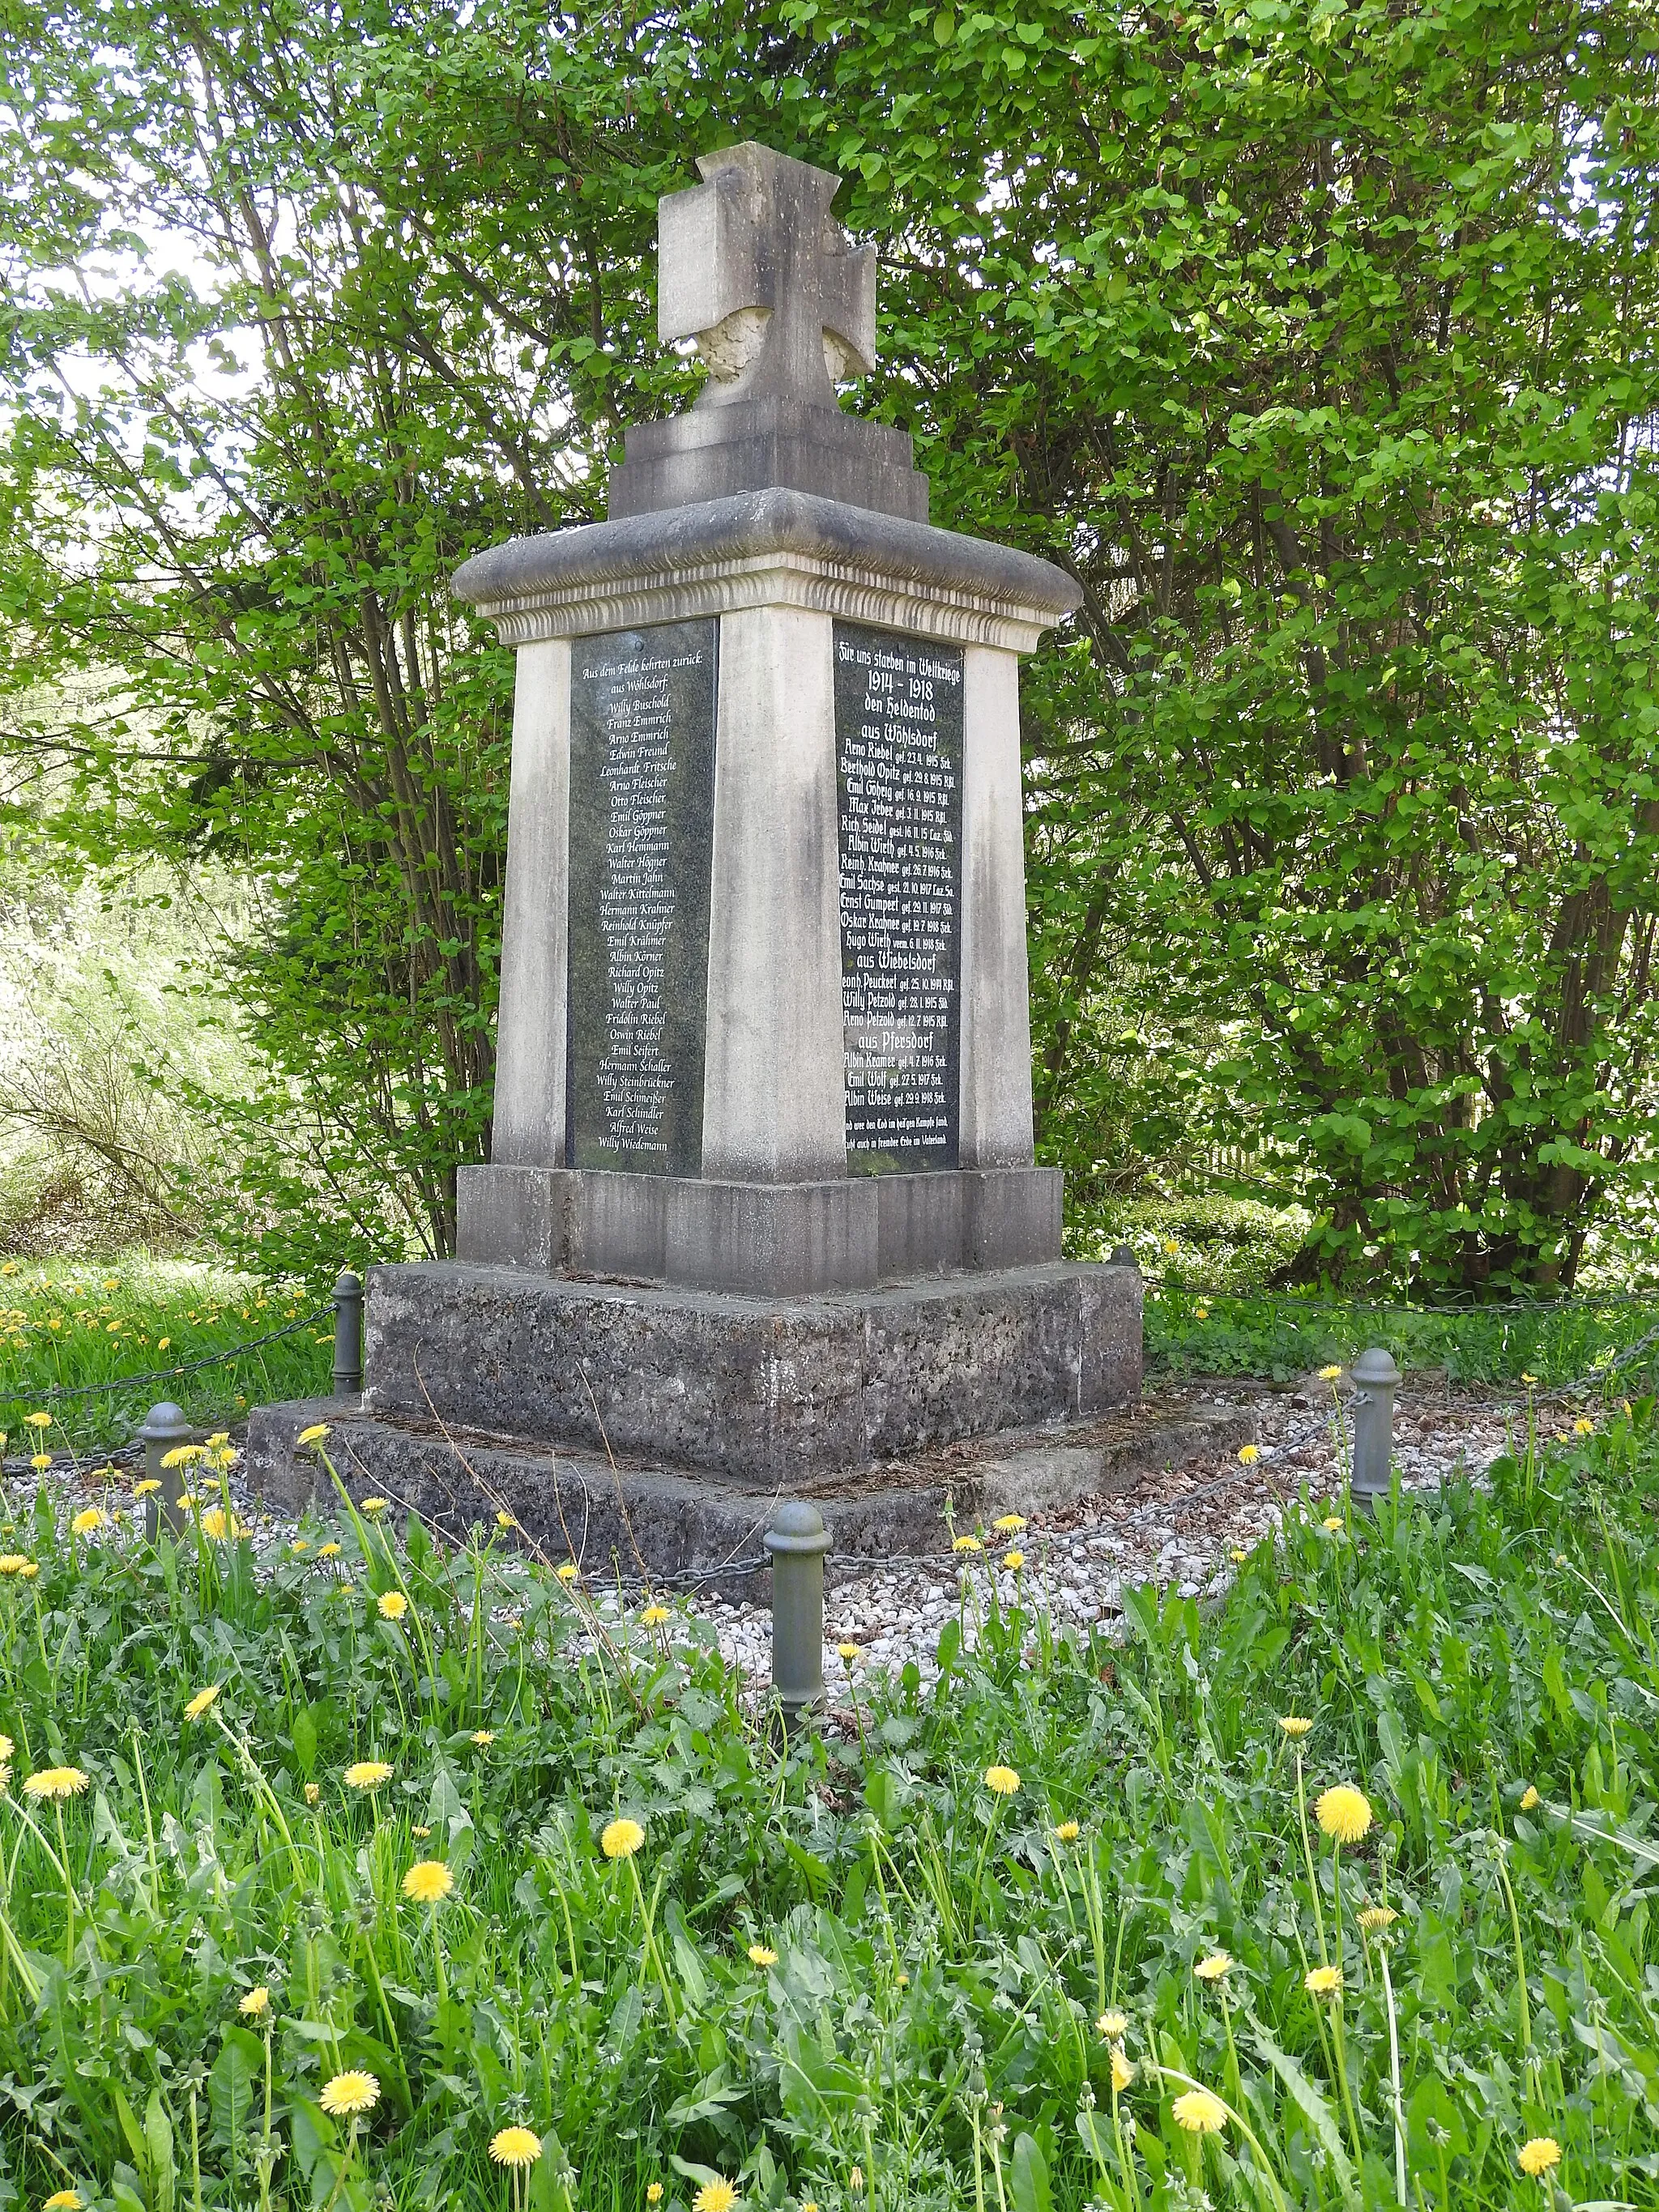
x=755, y=1390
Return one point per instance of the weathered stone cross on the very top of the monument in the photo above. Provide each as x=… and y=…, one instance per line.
x=764, y=278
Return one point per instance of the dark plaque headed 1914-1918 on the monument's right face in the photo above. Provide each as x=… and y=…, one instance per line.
x=899, y=758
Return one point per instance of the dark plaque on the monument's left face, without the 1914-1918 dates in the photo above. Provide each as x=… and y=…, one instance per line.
x=643, y=828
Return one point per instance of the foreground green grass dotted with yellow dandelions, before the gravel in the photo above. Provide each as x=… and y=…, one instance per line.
x=926, y=2032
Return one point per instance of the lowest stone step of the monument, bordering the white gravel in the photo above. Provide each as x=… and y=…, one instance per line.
x=676, y=1525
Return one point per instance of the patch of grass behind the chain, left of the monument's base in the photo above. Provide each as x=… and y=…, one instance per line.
x=67, y=1326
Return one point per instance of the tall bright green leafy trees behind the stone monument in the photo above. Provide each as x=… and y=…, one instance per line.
x=1317, y=344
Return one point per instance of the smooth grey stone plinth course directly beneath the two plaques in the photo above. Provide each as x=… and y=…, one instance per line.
x=760, y=1240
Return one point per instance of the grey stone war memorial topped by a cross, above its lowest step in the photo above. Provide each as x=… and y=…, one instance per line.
x=762, y=1193
